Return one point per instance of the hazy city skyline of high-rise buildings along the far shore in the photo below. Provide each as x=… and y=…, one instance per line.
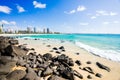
x=28, y=30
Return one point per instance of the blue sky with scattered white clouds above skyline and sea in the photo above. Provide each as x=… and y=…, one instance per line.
x=70, y=16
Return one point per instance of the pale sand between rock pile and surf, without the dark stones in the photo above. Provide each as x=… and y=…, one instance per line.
x=45, y=46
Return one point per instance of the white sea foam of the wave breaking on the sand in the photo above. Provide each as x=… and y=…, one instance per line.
x=109, y=54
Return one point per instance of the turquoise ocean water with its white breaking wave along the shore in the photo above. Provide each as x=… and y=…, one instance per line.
x=104, y=45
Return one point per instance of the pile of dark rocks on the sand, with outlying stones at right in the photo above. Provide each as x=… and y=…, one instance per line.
x=38, y=66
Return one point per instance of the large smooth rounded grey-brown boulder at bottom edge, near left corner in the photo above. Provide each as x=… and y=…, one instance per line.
x=16, y=75
